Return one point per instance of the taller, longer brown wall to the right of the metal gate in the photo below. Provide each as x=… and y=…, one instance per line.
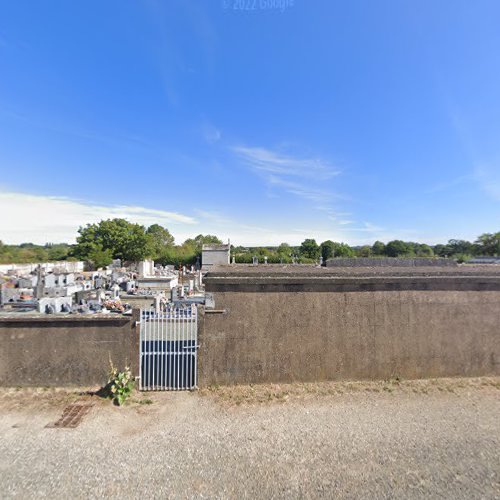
x=285, y=326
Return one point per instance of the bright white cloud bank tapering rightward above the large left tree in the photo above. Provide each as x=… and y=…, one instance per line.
x=41, y=219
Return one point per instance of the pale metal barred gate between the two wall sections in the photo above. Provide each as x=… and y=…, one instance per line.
x=169, y=346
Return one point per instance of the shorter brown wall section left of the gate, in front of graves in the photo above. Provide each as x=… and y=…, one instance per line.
x=62, y=350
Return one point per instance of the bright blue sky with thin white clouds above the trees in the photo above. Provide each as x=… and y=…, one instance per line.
x=350, y=121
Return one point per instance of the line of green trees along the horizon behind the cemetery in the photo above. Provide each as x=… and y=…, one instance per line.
x=100, y=243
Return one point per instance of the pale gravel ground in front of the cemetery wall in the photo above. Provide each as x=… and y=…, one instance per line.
x=328, y=440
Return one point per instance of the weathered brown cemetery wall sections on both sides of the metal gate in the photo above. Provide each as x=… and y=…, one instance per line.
x=279, y=324
